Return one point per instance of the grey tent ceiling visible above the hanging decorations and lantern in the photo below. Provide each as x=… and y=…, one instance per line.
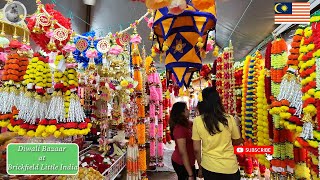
x=245, y=22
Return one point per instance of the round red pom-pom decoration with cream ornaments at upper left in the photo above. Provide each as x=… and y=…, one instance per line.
x=41, y=25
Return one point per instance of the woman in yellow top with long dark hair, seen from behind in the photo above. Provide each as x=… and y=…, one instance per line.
x=218, y=132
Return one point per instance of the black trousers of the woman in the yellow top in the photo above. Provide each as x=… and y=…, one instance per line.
x=208, y=175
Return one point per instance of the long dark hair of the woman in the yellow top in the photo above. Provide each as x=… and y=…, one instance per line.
x=213, y=110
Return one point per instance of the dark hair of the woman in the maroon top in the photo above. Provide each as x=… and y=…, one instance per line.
x=177, y=116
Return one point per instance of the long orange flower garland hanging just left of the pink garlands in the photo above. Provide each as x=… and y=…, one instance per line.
x=137, y=61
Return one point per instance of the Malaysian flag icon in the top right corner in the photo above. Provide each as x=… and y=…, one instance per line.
x=292, y=13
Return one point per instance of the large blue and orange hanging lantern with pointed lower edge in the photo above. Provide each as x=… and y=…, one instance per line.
x=183, y=37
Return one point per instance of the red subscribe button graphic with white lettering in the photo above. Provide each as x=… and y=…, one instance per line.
x=253, y=149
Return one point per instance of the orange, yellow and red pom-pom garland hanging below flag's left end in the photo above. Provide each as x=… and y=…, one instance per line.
x=278, y=63
